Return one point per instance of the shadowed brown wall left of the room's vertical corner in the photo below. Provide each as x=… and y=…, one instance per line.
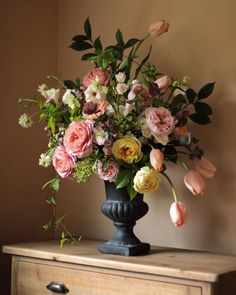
x=28, y=53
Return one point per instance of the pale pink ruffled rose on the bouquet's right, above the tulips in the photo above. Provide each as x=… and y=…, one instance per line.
x=160, y=122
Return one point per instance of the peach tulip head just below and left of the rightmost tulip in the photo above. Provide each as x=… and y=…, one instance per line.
x=195, y=183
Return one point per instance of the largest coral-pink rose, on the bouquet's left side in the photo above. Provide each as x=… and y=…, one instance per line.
x=78, y=138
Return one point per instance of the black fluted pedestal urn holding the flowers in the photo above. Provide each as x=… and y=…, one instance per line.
x=124, y=213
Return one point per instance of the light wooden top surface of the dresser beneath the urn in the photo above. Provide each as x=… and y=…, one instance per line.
x=170, y=262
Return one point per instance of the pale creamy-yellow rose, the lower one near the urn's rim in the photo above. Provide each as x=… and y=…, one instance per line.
x=146, y=180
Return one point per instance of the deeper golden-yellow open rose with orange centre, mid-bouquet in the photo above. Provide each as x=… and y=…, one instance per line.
x=128, y=149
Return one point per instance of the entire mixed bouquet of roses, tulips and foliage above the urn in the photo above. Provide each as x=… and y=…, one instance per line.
x=123, y=121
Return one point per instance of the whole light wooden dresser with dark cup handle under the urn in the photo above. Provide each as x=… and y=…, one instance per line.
x=81, y=270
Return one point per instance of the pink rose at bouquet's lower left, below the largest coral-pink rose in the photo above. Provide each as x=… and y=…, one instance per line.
x=62, y=161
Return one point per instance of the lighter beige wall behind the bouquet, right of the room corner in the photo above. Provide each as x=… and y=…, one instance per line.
x=200, y=43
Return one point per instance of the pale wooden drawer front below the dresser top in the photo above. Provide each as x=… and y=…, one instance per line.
x=32, y=279
